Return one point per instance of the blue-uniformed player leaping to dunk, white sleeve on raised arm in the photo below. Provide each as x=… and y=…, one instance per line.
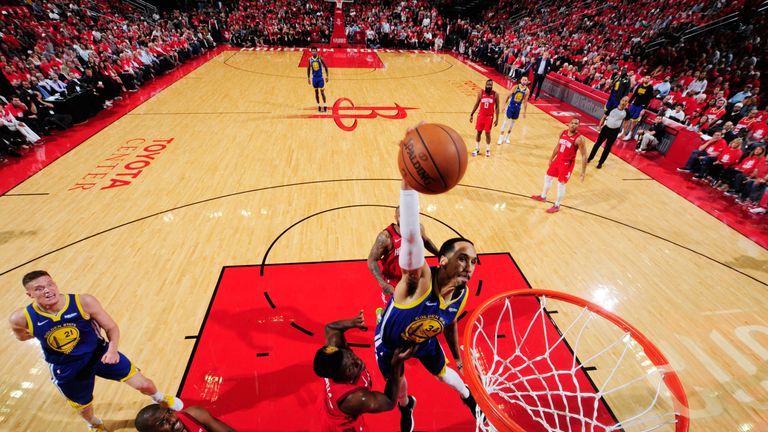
x=426, y=303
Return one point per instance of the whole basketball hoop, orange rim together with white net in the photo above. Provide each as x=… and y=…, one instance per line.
x=548, y=361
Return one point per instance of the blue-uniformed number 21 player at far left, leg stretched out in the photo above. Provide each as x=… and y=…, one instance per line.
x=68, y=327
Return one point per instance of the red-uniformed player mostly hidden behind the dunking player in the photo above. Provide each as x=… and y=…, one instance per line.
x=383, y=259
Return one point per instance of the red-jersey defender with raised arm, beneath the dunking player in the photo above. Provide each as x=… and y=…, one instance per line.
x=348, y=385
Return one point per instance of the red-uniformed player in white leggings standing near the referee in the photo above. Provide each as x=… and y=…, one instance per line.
x=562, y=161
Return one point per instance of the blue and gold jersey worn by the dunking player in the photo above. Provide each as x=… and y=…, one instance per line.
x=417, y=322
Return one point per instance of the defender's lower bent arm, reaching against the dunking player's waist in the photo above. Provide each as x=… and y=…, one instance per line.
x=369, y=402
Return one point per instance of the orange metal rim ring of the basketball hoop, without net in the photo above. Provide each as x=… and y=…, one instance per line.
x=498, y=418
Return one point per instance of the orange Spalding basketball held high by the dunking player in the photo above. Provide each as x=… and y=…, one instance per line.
x=432, y=158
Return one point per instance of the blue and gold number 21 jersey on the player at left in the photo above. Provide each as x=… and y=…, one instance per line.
x=69, y=336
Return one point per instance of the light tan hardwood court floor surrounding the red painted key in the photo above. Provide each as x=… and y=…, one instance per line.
x=213, y=169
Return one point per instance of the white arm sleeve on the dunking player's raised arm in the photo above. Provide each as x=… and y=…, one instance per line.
x=412, y=246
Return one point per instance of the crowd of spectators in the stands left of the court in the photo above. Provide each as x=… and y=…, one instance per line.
x=64, y=61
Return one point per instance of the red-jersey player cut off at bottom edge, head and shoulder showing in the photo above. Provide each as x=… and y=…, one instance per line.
x=155, y=418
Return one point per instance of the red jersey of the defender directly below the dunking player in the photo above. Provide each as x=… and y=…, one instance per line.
x=336, y=419
